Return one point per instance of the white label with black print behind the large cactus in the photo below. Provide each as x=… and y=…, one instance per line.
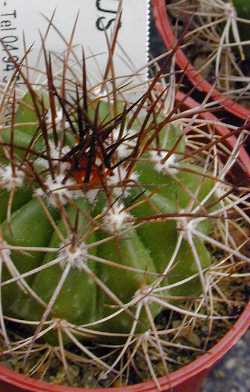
x=23, y=22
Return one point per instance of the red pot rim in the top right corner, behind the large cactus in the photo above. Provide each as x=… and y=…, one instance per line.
x=165, y=29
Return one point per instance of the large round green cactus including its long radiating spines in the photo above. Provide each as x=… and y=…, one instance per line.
x=112, y=213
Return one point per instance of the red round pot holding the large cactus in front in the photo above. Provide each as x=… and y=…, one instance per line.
x=187, y=379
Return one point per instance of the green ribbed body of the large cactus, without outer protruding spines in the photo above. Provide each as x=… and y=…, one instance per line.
x=93, y=200
